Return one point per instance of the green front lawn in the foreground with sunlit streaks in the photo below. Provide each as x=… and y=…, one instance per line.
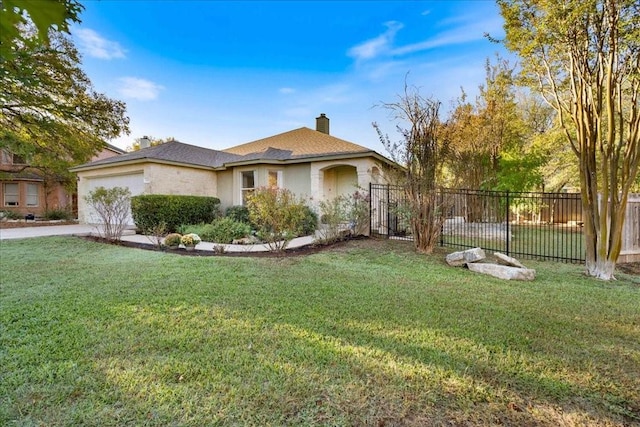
x=366, y=334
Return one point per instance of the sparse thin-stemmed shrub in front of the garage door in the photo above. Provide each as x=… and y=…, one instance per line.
x=112, y=208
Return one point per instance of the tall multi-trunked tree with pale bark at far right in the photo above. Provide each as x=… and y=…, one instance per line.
x=583, y=56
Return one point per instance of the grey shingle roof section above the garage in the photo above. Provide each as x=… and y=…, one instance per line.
x=172, y=151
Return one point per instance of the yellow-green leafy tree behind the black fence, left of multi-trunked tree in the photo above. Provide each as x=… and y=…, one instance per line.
x=490, y=139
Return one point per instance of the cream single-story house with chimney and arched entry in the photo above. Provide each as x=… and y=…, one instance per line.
x=310, y=163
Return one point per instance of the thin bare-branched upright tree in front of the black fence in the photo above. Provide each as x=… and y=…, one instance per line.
x=422, y=154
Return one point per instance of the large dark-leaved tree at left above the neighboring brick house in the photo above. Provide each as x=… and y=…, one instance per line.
x=49, y=113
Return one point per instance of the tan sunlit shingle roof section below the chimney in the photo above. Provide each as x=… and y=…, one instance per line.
x=303, y=142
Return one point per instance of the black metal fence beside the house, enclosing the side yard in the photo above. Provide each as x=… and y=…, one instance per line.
x=519, y=224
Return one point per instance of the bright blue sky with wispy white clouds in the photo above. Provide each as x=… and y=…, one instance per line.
x=222, y=73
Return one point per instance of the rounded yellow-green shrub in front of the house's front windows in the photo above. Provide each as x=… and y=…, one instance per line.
x=277, y=214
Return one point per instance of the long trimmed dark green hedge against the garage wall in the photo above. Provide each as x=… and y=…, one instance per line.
x=150, y=210
